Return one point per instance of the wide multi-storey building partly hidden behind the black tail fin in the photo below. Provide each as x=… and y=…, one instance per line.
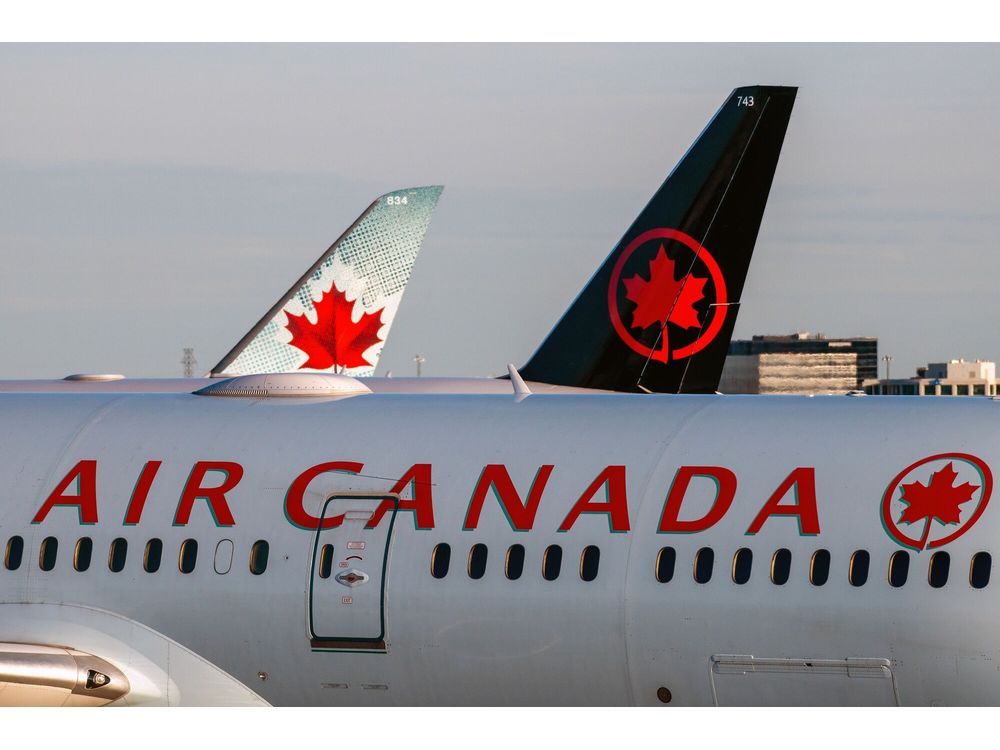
x=799, y=364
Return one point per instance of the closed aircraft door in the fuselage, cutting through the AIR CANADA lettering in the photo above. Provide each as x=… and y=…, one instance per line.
x=347, y=578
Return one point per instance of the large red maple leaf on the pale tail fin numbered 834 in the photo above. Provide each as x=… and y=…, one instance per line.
x=335, y=340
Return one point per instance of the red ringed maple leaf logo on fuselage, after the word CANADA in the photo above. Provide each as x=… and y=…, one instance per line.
x=936, y=499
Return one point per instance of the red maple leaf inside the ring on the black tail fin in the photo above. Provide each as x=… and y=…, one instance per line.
x=663, y=295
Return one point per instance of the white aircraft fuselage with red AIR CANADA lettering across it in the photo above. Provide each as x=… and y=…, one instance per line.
x=602, y=467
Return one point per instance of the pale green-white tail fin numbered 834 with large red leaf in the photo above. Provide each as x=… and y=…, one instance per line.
x=337, y=317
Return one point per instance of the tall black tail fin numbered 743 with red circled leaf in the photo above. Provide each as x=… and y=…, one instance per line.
x=659, y=313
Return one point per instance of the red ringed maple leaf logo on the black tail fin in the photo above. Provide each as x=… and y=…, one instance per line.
x=653, y=298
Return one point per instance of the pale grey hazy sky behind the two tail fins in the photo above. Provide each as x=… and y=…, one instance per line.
x=157, y=197
